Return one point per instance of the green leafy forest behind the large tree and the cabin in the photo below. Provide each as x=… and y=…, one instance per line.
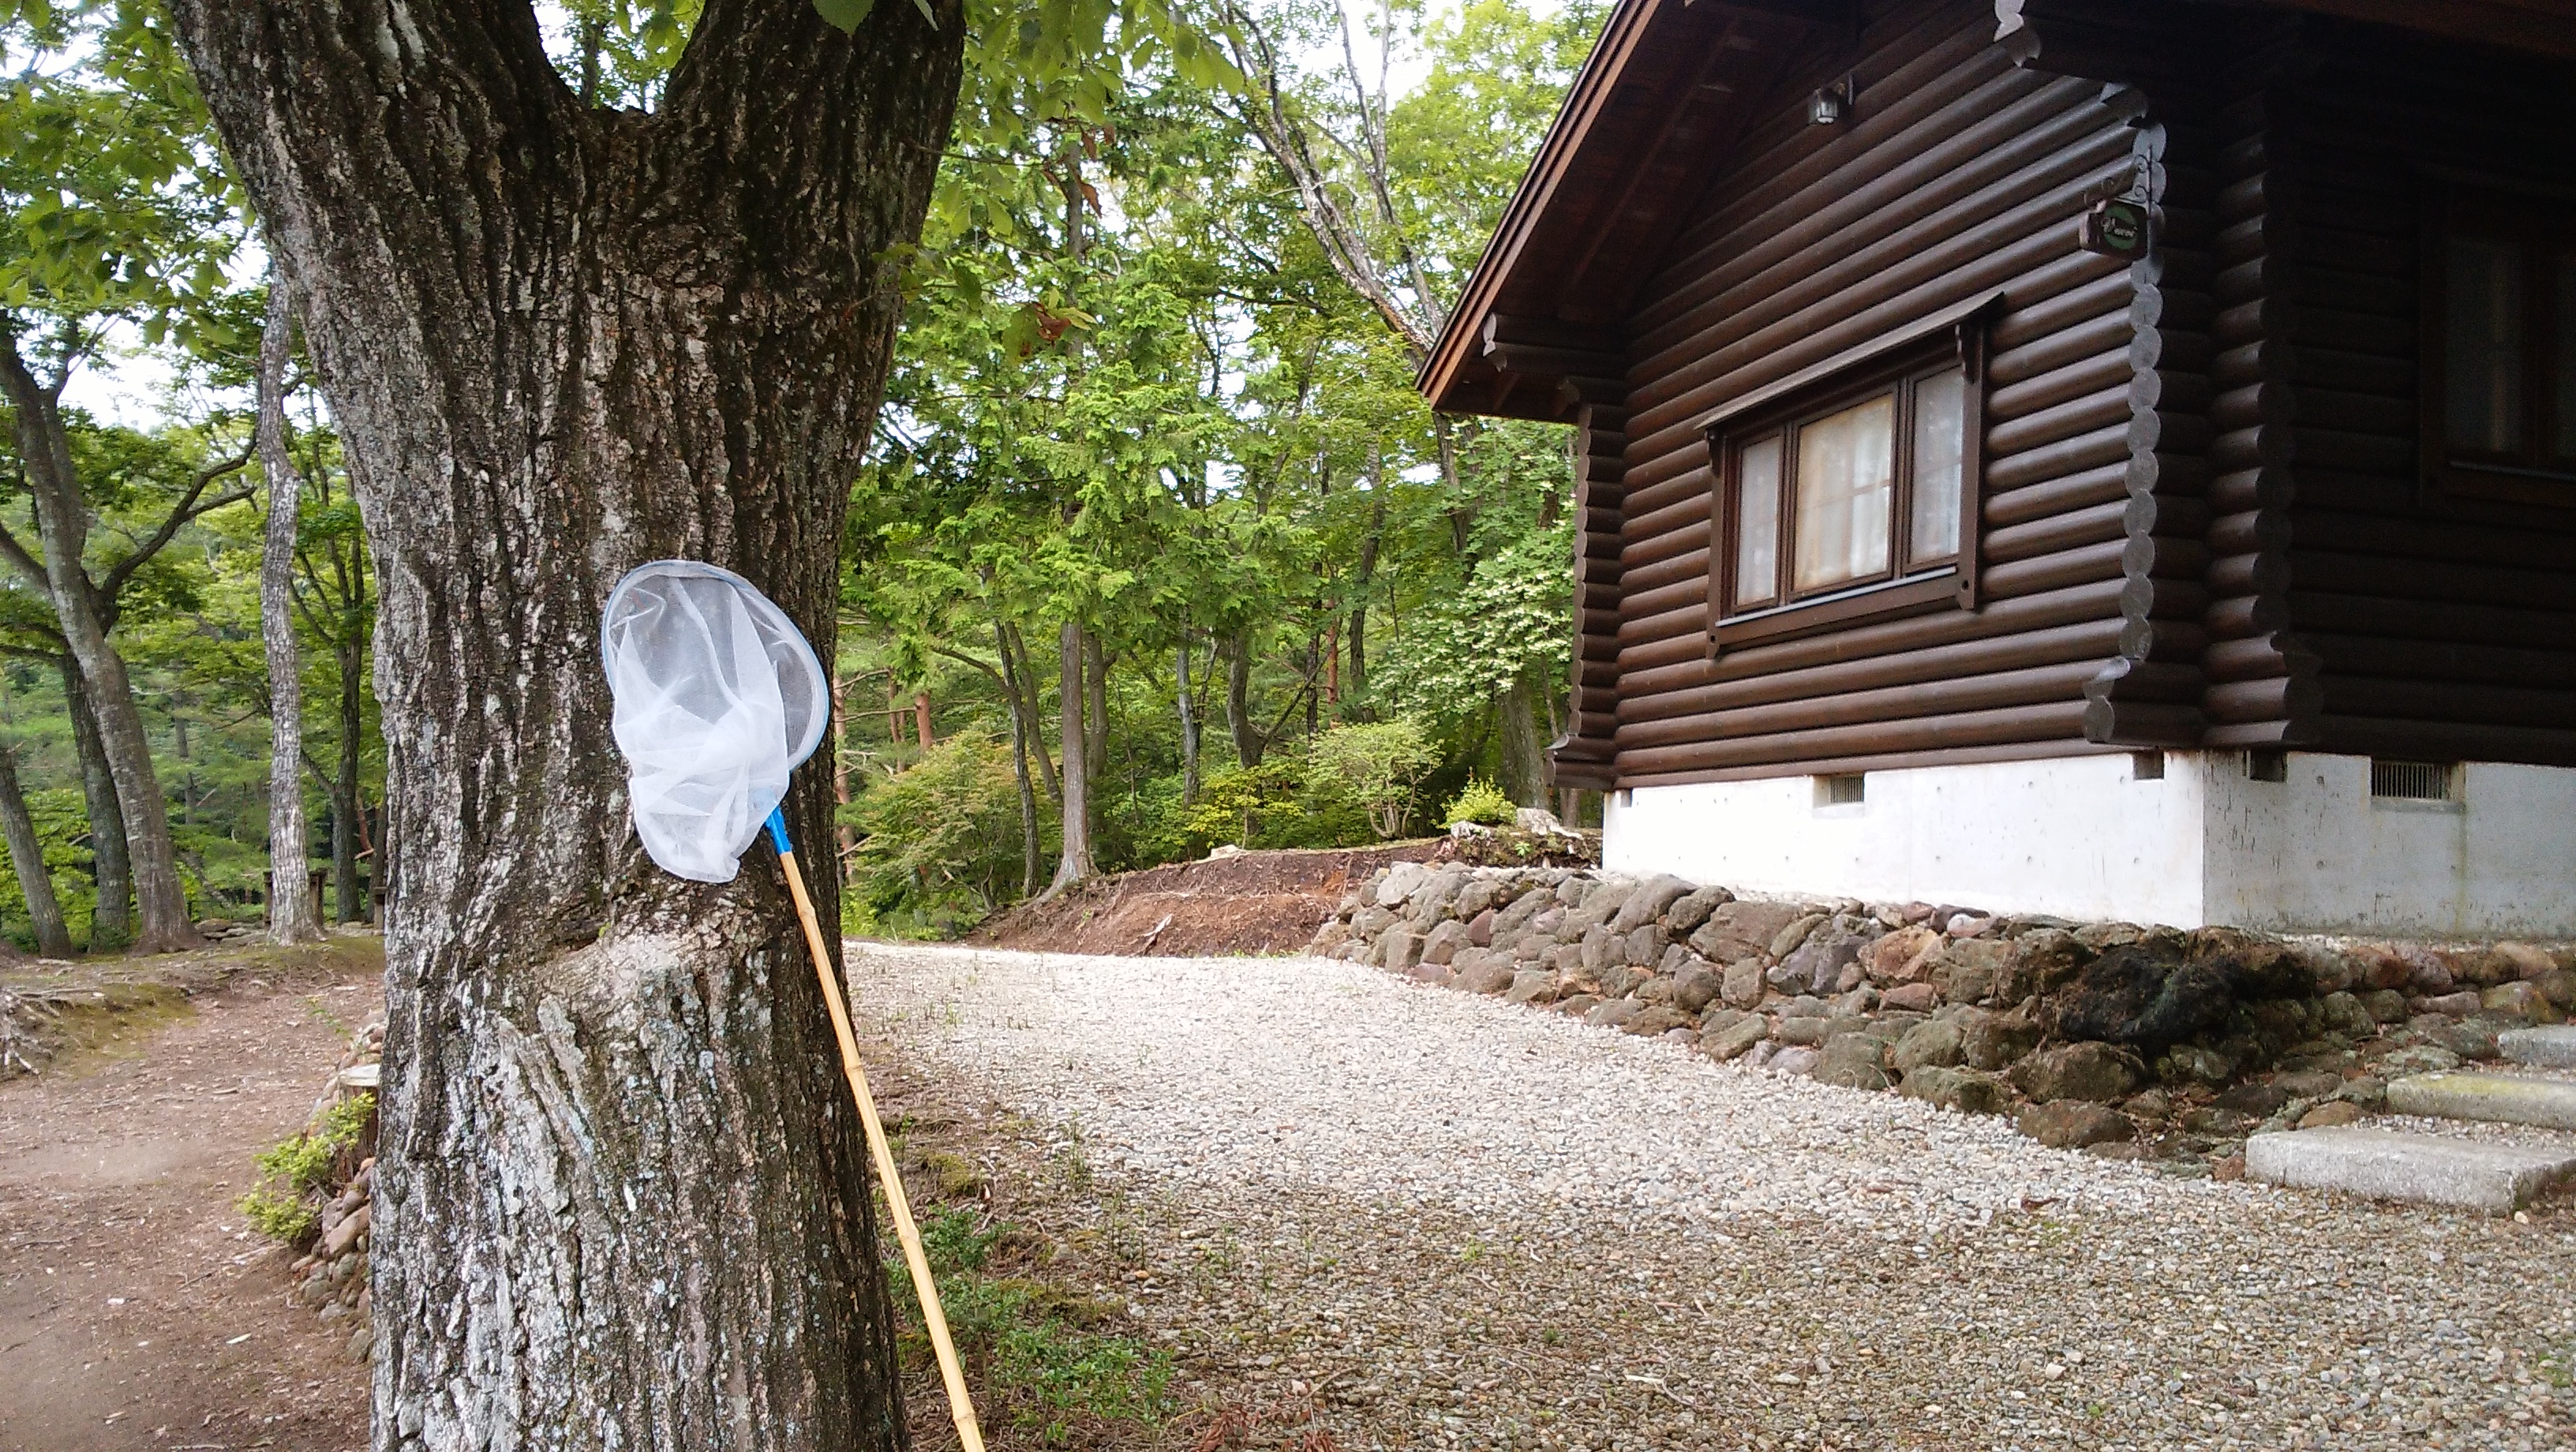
x=1155, y=542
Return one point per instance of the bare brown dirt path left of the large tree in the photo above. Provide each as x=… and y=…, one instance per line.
x=135, y=1307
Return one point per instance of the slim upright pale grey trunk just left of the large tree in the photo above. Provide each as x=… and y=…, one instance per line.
x=290, y=907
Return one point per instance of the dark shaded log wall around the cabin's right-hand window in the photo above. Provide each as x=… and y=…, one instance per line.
x=2443, y=627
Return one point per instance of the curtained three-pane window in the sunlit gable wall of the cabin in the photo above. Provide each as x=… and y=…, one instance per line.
x=1848, y=501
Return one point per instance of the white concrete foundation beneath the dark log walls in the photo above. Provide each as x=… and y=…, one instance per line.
x=2088, y=838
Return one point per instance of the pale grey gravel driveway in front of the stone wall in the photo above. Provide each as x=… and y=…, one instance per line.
x=1464, y=1224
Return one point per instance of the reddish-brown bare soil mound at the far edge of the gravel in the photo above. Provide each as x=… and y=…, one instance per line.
x=1245, y=902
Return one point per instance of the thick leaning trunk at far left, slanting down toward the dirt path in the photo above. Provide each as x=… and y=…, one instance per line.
x=66, y=529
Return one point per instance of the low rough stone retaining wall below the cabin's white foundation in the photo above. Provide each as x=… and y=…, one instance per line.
x=2129, y=1041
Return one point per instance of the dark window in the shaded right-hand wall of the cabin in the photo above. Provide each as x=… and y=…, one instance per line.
x=2500, y=349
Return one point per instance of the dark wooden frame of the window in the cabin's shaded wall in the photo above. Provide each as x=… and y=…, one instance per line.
x=2546, y=230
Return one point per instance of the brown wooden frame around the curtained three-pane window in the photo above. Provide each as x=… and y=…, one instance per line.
x=1954, y=339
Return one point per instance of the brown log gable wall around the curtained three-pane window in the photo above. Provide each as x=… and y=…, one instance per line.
x=1962, y=174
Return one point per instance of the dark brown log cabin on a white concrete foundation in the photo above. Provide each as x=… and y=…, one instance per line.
x=2067, y=457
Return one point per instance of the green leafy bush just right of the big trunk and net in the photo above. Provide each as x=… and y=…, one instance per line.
x=942, y=843
